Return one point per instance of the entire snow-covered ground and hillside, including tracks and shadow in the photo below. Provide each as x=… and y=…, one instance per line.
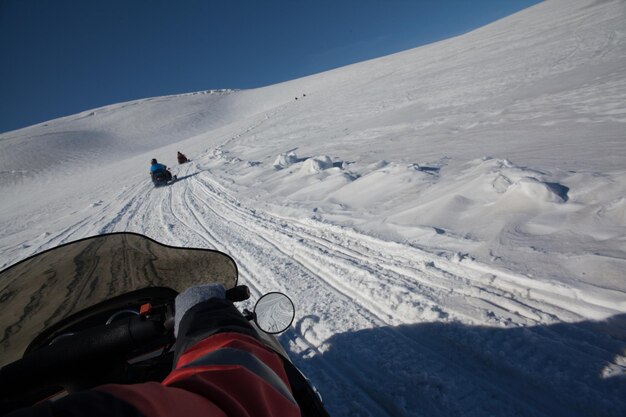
x=450, y=221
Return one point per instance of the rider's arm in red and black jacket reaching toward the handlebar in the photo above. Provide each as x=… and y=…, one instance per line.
x=221, y=369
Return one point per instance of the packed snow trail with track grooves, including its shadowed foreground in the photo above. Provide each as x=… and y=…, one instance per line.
x=440, y=335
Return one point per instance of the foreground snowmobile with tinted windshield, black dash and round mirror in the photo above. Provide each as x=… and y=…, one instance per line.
x=101, y=310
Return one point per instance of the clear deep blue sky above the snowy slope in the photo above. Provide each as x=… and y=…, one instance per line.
x=60, y=57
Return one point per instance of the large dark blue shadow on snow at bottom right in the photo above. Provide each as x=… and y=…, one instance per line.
x=450, y=369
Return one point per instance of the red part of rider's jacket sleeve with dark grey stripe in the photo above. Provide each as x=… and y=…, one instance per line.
x=227, y=374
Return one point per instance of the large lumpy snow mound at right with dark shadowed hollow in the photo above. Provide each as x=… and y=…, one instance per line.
x=480, y=200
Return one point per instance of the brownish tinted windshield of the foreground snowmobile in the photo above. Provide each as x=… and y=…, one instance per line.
x=42, y=290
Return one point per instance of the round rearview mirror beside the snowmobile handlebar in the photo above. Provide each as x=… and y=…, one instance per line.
x=274, y=312
